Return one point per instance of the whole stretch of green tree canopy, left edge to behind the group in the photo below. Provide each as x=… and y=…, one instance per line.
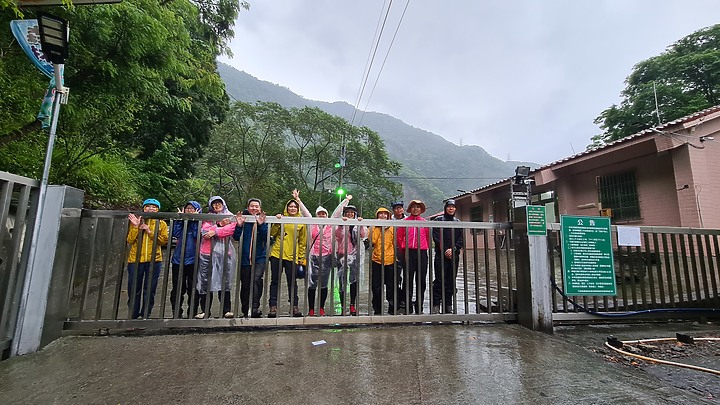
x=148, y=116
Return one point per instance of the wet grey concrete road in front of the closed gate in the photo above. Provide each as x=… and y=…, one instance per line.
x=478, y=364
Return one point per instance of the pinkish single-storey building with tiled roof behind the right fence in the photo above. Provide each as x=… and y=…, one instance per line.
x=663, y=176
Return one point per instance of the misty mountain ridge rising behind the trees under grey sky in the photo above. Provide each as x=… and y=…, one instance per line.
x=433, y=168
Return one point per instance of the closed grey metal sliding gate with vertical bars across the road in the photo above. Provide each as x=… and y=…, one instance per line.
x=99, y=288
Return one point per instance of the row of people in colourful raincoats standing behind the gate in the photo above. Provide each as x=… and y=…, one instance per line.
x=398, y=254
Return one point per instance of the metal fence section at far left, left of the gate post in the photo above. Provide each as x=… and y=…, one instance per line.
x=18, y=204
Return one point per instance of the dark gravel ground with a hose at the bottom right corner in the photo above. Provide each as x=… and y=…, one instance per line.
x=704, y=354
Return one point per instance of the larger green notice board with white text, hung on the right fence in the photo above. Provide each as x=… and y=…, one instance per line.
x=587, y=256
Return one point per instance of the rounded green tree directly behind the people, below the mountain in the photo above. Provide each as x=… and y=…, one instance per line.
x=264, y=150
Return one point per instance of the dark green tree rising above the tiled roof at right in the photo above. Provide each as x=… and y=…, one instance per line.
x=686, y=78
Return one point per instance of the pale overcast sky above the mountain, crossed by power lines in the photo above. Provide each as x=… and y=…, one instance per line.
x=524, y=79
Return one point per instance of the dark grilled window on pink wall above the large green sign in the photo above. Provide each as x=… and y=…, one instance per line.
x=619, y=192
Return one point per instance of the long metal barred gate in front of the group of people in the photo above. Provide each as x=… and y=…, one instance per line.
x=99, y=291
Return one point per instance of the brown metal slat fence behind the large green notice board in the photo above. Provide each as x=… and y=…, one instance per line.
x=674, y=270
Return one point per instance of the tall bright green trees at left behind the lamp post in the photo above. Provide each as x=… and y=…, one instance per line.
x=145, y=94
